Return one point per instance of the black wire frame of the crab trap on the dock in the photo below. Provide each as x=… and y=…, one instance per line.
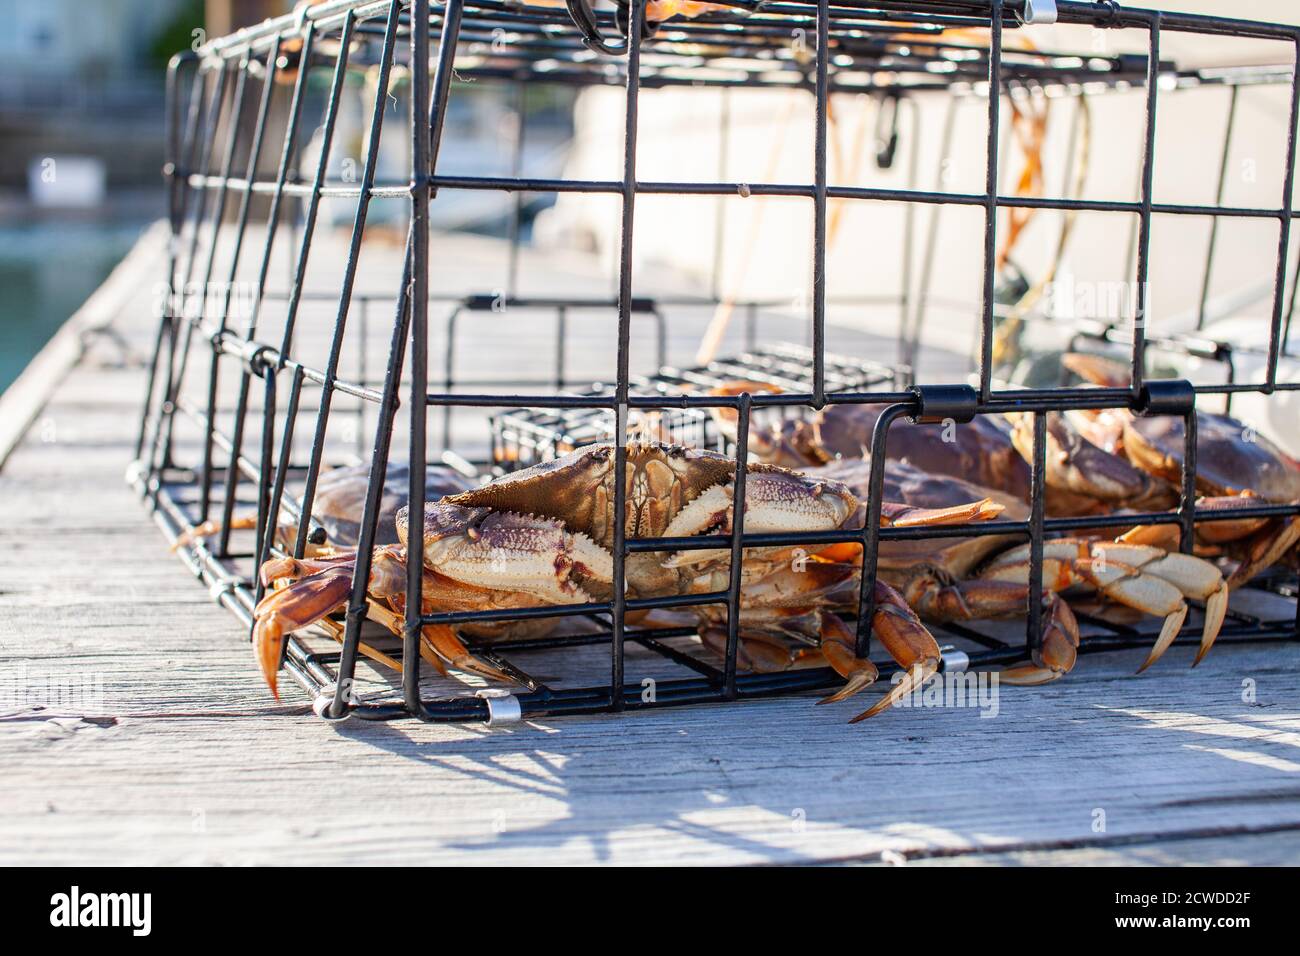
x=237, y=416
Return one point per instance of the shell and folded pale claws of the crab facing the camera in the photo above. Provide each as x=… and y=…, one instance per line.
x=549, y=530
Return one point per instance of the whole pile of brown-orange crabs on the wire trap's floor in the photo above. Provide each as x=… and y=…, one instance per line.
x=544, y=537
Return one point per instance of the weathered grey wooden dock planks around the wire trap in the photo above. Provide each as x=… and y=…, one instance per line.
x=135, y=728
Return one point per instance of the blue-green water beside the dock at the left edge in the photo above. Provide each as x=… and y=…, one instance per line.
x=47, y=271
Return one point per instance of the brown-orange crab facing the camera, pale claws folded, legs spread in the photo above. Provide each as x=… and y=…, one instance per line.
x=543, y=537
